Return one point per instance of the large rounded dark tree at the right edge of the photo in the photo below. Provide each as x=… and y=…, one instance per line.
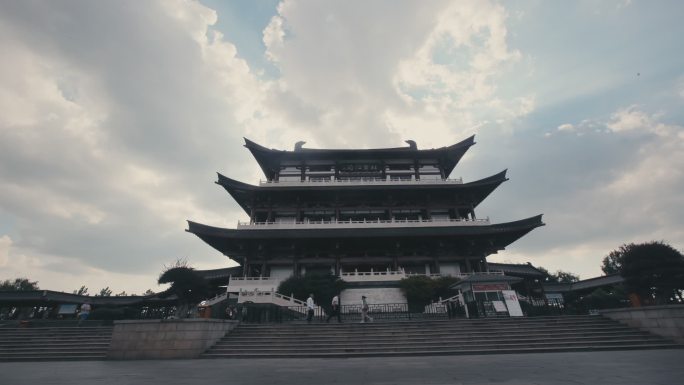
x=653, y=270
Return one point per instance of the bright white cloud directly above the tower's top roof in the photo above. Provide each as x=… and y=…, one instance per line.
x=375, y=78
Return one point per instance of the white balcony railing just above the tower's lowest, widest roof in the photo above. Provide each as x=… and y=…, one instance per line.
x=363, y=224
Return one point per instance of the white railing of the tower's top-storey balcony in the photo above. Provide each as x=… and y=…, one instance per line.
x=359, y=182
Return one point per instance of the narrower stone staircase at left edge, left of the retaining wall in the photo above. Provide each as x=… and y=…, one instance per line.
x=57, y=343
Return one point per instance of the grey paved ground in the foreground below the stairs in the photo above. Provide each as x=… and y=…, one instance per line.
x=645, y=367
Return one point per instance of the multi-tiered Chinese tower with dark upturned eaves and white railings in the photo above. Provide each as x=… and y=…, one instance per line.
x=371, y=217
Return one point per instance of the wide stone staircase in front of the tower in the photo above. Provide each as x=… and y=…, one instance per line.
x=436, y=337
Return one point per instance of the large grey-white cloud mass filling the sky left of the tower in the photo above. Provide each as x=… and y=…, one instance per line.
x=108, y=133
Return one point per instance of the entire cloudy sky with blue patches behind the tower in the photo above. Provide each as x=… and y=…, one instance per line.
x=116, y=115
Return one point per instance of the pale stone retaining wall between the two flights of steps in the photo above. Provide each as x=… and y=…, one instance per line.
x=162, y=339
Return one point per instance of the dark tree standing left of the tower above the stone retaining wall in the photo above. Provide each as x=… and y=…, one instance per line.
x=188, y=286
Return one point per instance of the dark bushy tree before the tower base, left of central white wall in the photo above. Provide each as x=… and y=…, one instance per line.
x=323, y=287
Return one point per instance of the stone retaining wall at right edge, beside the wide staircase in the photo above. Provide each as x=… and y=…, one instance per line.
x=666, y=321
